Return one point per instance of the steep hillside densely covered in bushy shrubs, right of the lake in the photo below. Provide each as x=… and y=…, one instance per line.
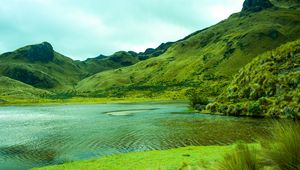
x=269, y=85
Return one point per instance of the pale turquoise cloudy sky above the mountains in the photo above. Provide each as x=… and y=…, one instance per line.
x=83, y=29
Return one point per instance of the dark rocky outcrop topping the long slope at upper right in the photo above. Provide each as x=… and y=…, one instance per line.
x=256, y=5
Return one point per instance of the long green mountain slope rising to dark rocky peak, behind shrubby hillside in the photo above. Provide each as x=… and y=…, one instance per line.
x=205, y=60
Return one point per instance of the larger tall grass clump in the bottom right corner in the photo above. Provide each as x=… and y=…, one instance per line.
x=284, y=149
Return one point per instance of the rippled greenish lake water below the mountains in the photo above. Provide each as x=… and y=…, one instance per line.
x=32, y=136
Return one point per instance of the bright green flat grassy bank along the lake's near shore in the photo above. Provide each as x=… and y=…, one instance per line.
x=199, y=157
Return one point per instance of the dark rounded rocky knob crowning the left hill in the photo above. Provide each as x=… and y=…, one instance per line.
x=42, y=52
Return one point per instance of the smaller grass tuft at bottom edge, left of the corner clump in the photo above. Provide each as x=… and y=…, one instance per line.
x=243, y=158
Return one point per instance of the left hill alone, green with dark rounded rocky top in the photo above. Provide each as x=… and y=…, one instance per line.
x=41, y=67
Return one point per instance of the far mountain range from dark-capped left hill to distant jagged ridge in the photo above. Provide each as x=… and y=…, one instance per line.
x=41, y=67
